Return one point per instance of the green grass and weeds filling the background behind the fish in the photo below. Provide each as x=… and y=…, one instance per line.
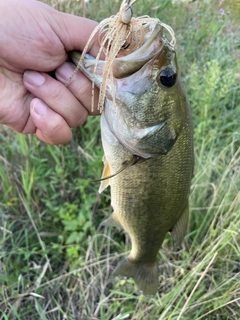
x=54, y=261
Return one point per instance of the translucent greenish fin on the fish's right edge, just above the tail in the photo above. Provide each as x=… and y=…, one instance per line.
x=180, y=228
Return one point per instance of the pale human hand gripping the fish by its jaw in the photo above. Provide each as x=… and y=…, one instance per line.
x=34, y=40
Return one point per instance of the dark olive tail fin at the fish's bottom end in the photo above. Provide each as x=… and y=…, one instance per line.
x=145, y=275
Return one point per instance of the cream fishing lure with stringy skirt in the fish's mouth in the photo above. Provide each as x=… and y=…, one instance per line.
x=120, y=34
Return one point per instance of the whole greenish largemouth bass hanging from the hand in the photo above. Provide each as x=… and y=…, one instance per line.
x=146, y=130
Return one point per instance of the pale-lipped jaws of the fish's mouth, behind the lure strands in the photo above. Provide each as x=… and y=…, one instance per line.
x=123, y=67
